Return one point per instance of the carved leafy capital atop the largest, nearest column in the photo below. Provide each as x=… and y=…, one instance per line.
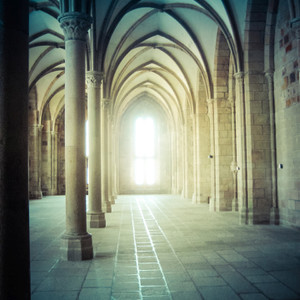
x=75, y=25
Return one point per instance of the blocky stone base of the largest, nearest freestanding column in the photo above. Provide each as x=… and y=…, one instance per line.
x=77, y=247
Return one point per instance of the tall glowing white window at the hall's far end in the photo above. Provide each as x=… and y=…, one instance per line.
x=144, y=151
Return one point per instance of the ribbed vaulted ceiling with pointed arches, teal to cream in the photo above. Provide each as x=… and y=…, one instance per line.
x=162, y=48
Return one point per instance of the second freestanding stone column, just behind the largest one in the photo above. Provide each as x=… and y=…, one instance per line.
x=96, y=218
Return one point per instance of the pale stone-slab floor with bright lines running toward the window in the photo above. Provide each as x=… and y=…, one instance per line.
x=162, y=247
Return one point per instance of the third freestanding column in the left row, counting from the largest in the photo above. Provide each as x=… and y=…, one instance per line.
x=104, y=153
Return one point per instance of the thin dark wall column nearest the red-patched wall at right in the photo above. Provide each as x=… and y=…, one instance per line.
x=274, y=213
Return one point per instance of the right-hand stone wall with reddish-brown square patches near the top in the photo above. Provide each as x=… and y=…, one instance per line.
x=287, y=106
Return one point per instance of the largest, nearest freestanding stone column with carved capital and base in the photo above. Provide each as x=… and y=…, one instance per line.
x=77, y=242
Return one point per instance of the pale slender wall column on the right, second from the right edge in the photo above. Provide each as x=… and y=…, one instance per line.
x=244, y=213
